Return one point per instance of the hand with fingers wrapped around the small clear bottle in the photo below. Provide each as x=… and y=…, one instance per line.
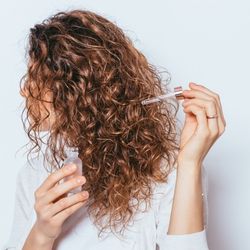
x=52, y=205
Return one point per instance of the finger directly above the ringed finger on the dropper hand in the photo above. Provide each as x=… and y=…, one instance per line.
x=199, y=94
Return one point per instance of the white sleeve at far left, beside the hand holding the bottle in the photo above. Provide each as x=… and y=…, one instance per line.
x=24, y=200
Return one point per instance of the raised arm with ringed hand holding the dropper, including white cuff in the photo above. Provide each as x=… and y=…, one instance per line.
x=204, y=123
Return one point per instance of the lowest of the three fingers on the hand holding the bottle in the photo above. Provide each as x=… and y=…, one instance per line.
x=66, y=202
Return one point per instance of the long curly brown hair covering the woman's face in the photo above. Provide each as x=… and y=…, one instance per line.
x=95, y=79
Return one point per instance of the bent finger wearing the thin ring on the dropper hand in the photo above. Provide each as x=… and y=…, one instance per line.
x=210, y=108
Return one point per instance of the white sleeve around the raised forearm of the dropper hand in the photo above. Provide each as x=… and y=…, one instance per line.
x=192, y=241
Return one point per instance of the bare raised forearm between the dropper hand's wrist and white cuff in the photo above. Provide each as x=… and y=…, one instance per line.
x=187, y=209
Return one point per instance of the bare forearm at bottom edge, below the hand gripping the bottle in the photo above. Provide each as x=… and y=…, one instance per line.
x=36, y=241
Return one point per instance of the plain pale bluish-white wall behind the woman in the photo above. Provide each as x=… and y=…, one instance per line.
x=202, y=41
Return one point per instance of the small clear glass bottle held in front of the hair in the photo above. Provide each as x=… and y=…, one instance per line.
x=72, y=157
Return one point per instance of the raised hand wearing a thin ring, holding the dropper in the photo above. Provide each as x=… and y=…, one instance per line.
x=199, y=133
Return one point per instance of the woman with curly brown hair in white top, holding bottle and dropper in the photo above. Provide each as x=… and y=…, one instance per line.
x=141, y=187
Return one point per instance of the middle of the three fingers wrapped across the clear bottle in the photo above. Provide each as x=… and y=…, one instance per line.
x=61, y=189
